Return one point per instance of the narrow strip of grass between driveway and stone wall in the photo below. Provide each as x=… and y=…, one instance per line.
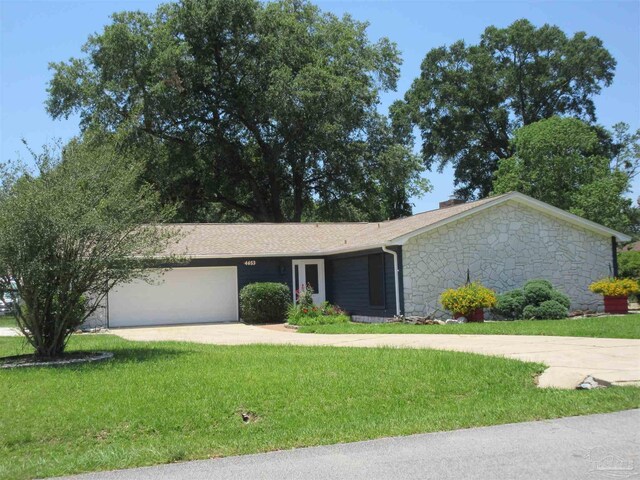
x=627, y=326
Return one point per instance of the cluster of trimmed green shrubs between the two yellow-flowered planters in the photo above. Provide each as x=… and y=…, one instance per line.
x=537, y=299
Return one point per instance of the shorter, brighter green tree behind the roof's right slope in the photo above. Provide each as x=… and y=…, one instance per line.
x=571, y=165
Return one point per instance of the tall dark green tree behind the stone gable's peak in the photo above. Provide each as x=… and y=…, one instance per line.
x=469, y=99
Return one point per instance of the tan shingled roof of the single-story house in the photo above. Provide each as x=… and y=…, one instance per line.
x=224, y=240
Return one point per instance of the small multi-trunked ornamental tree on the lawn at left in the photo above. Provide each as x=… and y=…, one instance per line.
x=69, y=232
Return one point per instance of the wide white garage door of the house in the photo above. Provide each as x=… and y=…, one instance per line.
x=181, y=295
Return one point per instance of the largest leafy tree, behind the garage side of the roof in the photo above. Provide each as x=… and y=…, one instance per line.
x=246, y=110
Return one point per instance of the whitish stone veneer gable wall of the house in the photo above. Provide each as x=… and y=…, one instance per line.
x=503, y=247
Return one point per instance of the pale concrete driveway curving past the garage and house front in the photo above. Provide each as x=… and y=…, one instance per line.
x=570, y=359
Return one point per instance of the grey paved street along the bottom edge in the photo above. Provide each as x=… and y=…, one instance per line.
x=575, y=448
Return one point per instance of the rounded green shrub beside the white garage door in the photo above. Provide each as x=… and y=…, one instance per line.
x=264, y=302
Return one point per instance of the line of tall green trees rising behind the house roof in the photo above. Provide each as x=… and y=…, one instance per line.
x=268, y=112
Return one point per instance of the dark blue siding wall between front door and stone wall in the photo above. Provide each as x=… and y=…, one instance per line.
x=348, y=284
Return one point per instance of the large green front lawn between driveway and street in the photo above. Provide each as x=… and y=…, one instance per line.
x=166, y=402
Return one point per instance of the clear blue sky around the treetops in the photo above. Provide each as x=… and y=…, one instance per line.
x=34, y=33
